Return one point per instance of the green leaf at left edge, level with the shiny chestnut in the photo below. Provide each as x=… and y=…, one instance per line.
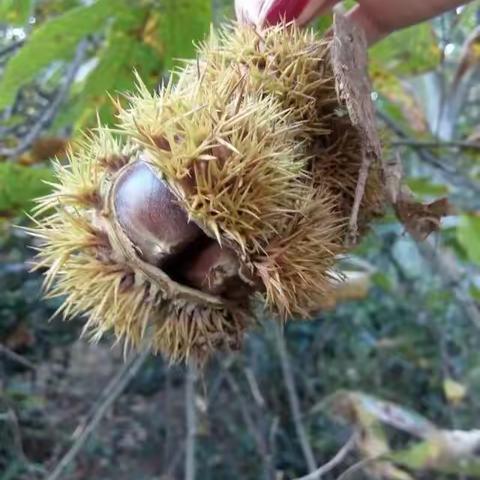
x=20, y=185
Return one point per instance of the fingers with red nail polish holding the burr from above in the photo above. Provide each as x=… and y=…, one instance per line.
x=378, y=18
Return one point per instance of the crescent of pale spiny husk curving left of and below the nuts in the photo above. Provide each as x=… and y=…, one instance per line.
x=82, y=268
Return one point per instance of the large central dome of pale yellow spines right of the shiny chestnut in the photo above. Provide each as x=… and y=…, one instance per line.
x=233, y=160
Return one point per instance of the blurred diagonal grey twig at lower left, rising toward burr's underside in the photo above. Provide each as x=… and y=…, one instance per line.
x=110, y=394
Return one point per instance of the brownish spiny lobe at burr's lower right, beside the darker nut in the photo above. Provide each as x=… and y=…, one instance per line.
x=297, y=267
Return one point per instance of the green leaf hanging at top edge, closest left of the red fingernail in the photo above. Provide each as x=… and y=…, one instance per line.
x=182, y=23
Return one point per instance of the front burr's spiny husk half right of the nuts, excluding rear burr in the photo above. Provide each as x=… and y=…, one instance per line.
x=247, y=180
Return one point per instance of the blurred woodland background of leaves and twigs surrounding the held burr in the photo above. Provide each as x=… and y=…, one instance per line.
x=378, y=382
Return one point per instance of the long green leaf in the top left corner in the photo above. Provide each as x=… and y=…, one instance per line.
x=56, y=39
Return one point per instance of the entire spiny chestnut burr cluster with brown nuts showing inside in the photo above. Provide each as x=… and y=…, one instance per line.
x=235, y=181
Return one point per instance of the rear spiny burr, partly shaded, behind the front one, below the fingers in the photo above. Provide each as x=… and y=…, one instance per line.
x=294, y=66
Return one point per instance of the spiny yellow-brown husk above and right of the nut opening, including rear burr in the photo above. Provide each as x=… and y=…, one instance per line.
x=282, y=80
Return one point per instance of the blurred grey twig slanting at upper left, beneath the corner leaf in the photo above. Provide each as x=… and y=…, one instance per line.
x=49, y=113
